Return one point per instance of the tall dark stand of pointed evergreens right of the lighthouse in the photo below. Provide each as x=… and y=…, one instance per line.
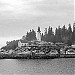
x=62, y=34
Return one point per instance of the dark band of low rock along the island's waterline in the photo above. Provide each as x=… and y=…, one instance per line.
x=26, y=56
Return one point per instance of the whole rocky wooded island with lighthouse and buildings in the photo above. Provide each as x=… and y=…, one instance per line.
x=50, y=45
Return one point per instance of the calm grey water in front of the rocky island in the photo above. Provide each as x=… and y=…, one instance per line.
x=63, y=66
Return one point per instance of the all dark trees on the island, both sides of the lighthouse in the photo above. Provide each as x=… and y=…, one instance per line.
x=62, y=34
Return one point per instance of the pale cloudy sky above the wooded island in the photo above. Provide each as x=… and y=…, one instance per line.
x=19, y=16
